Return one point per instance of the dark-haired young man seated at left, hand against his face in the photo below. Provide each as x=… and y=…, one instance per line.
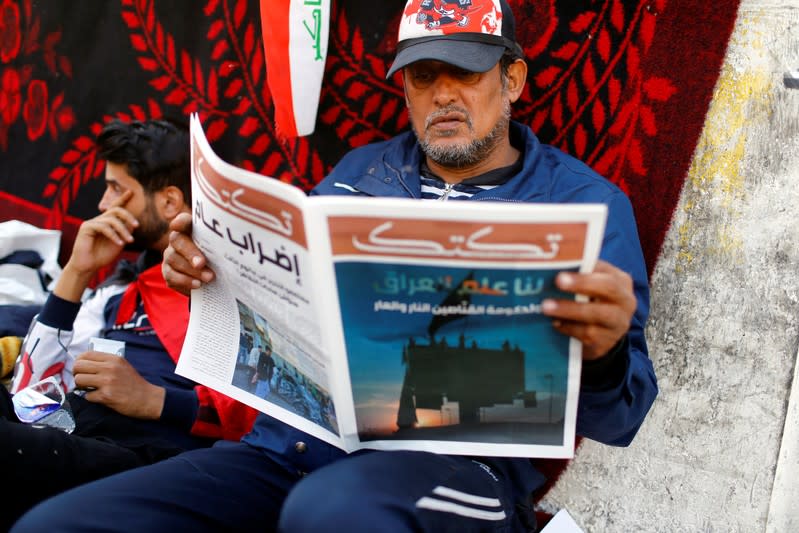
x=135, y=410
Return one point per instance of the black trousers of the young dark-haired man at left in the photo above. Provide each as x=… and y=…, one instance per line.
x=37, y=463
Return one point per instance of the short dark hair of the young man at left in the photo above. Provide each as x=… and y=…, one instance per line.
x=154, y=152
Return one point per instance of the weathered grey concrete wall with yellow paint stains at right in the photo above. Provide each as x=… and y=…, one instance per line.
x=724, y=330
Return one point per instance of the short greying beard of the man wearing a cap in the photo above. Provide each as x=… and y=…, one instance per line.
x=468, y=153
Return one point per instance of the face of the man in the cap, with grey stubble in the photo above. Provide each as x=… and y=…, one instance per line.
x=459, y=117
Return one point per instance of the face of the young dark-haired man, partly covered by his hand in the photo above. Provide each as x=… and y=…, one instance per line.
x=152, y=226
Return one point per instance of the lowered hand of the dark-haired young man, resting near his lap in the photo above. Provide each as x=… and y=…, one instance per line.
x=118, y=385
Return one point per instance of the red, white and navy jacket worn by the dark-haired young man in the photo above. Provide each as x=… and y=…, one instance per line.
x=152, y=320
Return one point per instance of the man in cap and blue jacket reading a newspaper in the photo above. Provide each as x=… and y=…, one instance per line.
x=462, y=69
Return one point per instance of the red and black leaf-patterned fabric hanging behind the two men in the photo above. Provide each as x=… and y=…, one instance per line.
x=623, y=85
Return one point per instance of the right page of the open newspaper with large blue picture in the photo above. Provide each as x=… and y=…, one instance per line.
x=445, y=343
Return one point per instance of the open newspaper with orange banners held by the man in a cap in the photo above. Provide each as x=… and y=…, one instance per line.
x=387, y=323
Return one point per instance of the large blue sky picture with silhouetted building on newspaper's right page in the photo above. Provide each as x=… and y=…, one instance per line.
x=486, y=332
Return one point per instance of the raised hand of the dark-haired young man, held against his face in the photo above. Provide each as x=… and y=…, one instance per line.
x=99, y=242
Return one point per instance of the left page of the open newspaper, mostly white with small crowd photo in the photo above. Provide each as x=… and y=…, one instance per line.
x=252, y=333
